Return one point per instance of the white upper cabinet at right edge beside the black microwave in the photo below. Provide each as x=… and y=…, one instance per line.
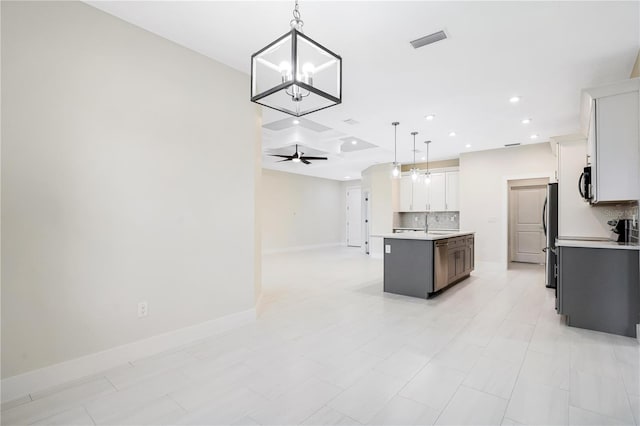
x=613, y=142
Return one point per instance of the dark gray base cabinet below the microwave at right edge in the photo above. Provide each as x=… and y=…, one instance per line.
x=599, y=289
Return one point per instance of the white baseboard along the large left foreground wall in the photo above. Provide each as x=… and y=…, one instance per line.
x=57, y=374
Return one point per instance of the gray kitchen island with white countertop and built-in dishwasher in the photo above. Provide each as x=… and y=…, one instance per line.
x=420, y=264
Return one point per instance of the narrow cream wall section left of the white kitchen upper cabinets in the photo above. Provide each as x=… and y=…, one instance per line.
x=382, y=199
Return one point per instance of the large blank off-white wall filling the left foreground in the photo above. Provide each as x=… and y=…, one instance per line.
x=119, y=184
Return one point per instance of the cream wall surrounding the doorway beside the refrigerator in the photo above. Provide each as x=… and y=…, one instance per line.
x=483, y=192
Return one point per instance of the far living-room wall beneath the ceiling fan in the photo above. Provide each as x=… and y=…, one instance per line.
x=300, y=211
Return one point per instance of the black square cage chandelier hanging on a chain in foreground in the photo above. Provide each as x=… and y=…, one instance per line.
x=295, y=74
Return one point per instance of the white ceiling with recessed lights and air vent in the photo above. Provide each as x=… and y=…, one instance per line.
x=545, y=52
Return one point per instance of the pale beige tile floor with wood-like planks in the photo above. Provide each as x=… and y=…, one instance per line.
x=329, y=347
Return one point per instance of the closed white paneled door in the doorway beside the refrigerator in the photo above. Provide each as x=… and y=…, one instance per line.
x=526, y=230
